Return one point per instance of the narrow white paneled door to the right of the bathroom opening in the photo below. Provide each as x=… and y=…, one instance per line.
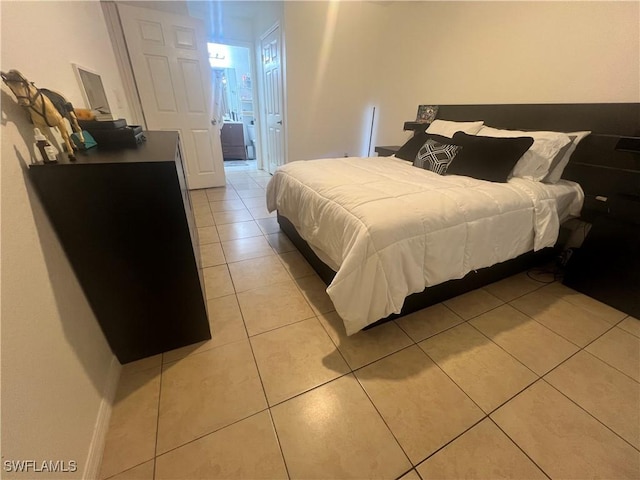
x=272, y=75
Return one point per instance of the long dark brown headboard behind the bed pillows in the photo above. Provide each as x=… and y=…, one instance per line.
x=596, y=164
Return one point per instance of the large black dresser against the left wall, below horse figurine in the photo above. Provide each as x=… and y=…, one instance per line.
x=125, y=221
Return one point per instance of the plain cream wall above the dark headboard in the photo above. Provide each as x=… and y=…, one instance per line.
x=508, y=52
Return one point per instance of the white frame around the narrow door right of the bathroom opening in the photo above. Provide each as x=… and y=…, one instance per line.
x=283, y=93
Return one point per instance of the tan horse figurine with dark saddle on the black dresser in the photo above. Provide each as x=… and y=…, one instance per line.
x=46, y=108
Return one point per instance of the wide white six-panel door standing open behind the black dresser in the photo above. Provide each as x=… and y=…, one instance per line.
x=171, y=66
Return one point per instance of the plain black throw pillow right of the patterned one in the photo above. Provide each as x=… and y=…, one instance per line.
x=487, y=158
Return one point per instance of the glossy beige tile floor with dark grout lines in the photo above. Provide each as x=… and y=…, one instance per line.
x=519, y=379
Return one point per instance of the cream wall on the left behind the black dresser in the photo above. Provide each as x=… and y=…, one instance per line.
x=56, y=363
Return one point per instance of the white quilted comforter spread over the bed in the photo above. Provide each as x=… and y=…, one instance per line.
x=389, y=229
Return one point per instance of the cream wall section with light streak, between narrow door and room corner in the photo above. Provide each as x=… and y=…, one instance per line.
x=331, y=49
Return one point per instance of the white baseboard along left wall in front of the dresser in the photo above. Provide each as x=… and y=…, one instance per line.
x=96, y=448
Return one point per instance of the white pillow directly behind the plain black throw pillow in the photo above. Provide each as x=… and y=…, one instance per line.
x=535, y=164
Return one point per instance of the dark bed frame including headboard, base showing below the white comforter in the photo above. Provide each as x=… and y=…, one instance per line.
x=599, y=165
